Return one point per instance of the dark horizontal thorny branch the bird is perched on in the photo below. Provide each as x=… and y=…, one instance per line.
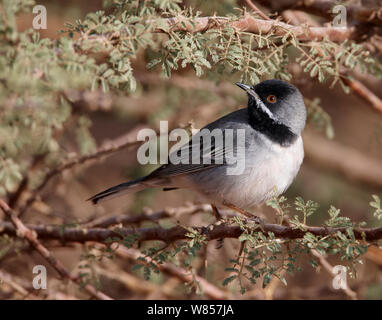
x=179, y=233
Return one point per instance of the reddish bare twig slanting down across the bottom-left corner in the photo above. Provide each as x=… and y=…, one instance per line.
x=24, y=232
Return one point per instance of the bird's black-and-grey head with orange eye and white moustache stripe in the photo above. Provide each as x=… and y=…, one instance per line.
x=277, y=109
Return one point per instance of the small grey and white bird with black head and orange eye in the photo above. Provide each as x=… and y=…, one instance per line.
x=267, y=159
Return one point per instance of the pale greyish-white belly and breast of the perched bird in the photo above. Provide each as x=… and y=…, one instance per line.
x=268, y=171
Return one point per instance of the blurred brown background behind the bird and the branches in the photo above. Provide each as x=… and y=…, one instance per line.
x=343, y=170
